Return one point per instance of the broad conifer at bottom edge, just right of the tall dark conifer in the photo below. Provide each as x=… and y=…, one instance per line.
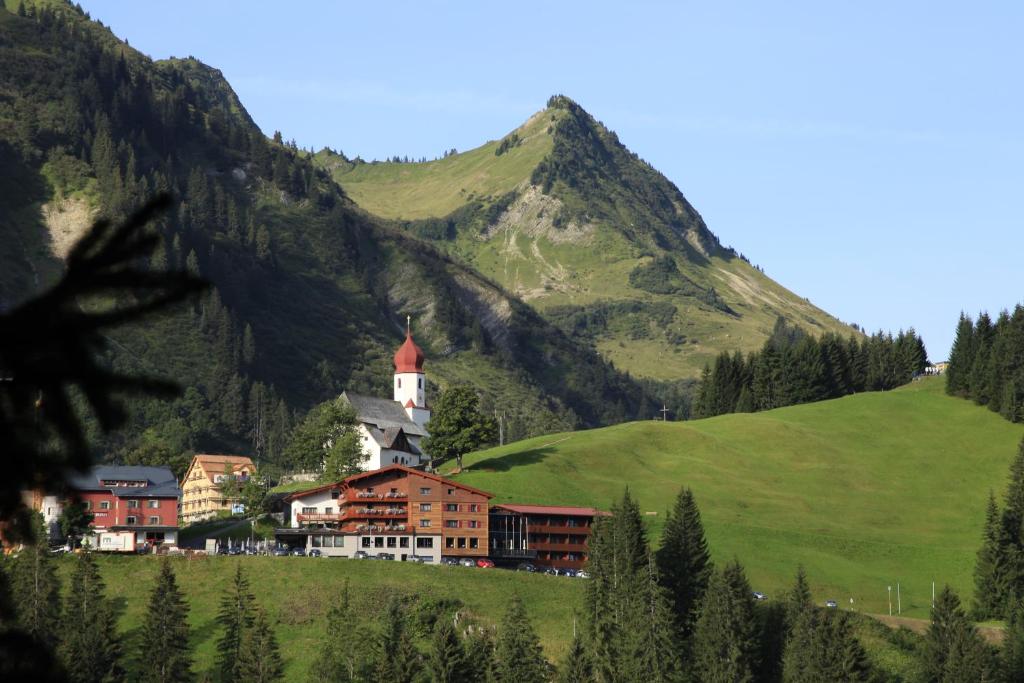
x=726, y=645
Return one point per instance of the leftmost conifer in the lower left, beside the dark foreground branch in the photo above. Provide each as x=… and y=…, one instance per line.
x=36, y=590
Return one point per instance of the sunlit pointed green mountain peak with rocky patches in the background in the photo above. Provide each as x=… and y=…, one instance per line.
x=561, y=214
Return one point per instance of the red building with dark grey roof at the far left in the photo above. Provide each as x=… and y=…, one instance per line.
x=132, y=506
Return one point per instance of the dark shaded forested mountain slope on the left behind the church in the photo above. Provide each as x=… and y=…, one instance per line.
x=311, y=293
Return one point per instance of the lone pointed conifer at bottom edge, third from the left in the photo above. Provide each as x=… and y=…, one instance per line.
x=163, y=654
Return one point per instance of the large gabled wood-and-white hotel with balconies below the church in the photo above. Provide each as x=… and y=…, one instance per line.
x=396, y=510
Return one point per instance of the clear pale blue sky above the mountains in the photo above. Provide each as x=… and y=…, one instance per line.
x=869, y=156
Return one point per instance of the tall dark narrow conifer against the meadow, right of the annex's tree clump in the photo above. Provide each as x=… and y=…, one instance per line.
x=684, y=562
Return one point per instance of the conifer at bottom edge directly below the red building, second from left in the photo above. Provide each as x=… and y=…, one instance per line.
x=90, y=647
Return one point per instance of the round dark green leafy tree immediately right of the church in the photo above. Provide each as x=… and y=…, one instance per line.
x=458, y=426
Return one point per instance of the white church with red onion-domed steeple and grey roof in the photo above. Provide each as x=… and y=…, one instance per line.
x=393, y=430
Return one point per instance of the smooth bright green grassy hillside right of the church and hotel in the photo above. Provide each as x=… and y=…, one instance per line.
x=866, y=491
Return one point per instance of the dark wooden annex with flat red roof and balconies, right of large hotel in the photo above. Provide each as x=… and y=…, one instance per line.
x=547, y=536
